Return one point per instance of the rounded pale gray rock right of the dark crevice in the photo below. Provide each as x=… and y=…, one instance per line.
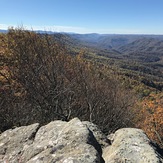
x=132, y=146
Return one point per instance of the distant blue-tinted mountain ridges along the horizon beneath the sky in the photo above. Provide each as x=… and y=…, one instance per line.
x=121, y=43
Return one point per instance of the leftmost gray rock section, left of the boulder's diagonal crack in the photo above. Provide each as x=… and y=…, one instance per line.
x=12, y=142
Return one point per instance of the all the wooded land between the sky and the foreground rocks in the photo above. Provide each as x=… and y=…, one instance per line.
x=113, y=81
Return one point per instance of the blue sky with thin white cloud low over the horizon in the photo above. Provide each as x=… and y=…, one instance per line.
x=84, y=16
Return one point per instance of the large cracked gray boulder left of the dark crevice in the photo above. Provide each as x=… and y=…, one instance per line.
x=58, y=141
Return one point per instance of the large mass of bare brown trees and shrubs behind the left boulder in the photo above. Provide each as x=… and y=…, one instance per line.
x=41, y=82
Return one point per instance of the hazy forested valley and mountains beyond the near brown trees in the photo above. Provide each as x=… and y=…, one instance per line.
x=137, y=56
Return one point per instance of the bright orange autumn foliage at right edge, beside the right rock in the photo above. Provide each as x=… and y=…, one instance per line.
x=151, y=117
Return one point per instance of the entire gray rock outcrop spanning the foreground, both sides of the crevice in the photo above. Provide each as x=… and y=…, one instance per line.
x=75, y=142
